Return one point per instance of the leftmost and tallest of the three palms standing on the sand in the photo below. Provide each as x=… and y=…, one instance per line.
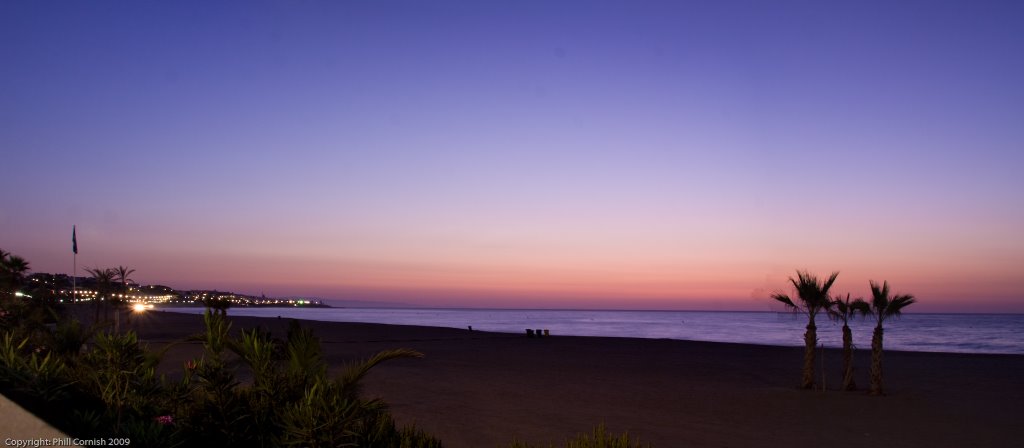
x=814, y=298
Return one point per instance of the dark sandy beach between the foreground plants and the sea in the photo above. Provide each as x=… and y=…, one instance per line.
x=477, y=389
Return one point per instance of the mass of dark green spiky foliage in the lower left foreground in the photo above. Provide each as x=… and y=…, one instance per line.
x=288, y=398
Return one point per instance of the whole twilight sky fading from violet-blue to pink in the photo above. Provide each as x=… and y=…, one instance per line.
x=614, y=155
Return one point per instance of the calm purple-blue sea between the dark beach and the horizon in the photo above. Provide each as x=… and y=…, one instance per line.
x=921, y=333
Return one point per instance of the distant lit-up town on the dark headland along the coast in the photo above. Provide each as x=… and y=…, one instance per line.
x=64, y=290
